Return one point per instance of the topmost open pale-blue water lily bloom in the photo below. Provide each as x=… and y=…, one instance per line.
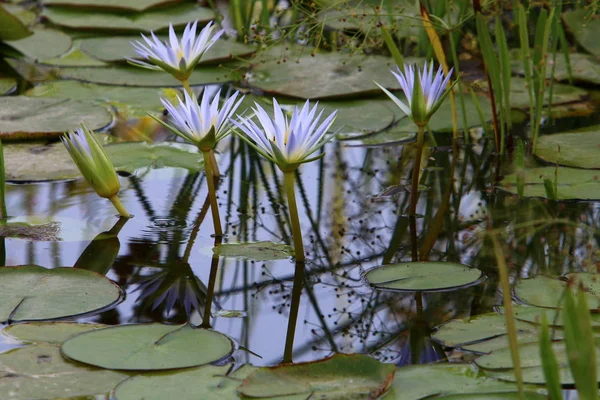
x=177, y=57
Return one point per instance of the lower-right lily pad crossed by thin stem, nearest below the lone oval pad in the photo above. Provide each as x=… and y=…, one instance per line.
x=461, y=332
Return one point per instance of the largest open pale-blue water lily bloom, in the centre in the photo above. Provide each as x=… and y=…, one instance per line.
x=287, y=142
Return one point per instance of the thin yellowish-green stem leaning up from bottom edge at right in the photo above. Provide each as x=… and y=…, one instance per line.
x=508, y=313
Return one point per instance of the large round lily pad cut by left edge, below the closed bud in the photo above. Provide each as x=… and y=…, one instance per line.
x=29, y=293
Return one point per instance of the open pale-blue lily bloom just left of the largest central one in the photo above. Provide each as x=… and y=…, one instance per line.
x=201, y=124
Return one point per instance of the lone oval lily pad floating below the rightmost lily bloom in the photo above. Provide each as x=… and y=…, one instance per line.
x=428, y=276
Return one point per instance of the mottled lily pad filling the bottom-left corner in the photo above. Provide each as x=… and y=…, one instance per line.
x=40, y=372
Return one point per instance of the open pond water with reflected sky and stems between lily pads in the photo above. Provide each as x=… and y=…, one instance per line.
x=352, y=204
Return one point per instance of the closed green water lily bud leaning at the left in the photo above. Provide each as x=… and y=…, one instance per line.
x=94, y=164
